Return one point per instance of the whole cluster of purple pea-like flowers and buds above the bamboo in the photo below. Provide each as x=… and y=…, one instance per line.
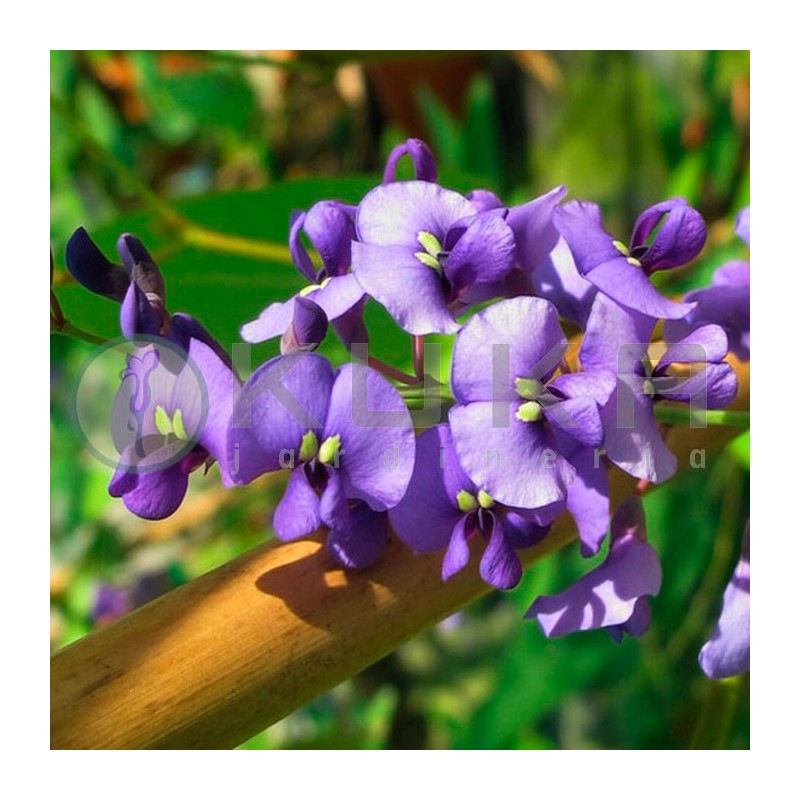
x=531, y=431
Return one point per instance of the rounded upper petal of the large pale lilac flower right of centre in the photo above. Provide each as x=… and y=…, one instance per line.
x=512, y=339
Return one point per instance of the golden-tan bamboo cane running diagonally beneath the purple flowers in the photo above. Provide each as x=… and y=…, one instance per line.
x=214, y=662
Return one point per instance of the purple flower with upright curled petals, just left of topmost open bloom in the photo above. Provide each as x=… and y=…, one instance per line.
x=333, y=293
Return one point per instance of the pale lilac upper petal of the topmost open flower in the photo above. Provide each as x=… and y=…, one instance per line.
x=396, y=213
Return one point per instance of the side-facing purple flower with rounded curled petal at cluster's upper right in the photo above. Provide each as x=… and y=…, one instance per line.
x=622, y=271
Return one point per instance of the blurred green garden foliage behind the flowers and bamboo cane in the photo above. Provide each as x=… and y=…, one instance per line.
x=205, y=154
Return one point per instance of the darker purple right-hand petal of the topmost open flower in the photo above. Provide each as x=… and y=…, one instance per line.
x=483, y=254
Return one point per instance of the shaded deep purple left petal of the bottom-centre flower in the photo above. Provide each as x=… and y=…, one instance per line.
x=425, y=517
